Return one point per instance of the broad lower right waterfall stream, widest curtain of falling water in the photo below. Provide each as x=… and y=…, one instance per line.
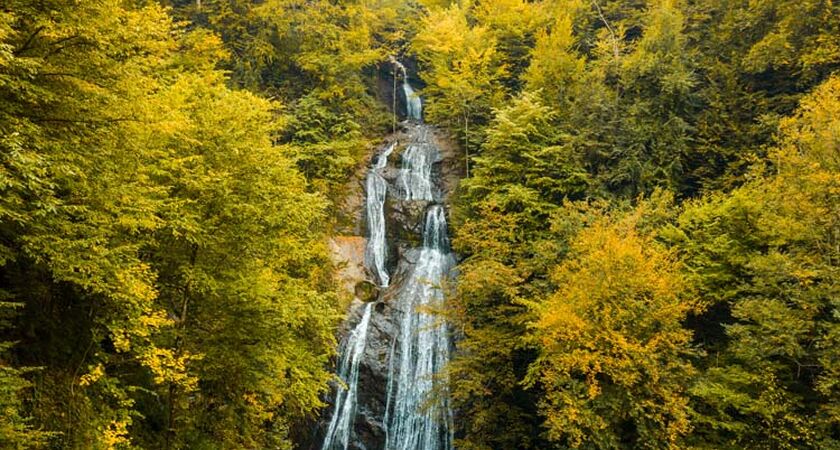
x=422, y=348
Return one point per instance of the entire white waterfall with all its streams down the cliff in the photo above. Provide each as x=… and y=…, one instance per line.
x=416, y=414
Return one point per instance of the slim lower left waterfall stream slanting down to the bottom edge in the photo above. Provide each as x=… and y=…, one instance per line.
x=341, y=424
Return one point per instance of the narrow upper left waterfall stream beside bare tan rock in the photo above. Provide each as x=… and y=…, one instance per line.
x=376, y=253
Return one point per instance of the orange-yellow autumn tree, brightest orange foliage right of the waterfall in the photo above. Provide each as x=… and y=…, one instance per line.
x=614, y=356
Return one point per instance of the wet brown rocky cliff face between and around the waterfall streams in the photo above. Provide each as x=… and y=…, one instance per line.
x=404, y=226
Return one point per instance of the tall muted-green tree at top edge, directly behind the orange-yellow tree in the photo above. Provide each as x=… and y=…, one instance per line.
x=655, y=102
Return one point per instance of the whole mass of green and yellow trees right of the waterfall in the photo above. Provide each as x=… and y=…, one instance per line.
x=593, y=318
